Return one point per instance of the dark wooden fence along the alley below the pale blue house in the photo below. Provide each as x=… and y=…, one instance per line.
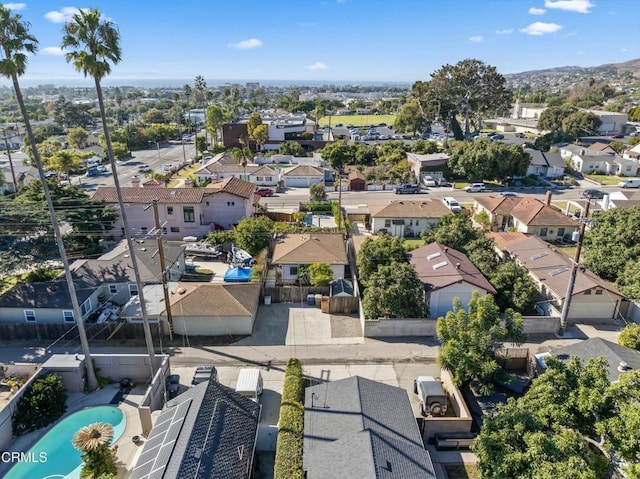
x=69, y=332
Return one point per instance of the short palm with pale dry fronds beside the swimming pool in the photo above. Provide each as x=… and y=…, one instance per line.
x=94, y=441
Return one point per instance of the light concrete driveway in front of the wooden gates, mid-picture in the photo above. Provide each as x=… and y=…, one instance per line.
x=293, y=324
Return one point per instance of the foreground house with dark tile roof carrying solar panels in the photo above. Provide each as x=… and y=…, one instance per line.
x=207, y=431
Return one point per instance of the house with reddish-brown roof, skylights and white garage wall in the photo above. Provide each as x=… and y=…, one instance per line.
x=447, y=274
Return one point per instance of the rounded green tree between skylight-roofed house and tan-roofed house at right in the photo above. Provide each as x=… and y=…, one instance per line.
x=516, y=289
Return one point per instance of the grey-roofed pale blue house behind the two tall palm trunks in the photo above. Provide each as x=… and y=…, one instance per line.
x=107, y=279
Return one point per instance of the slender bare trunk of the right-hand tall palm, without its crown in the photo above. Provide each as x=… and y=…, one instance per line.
x=127, y=234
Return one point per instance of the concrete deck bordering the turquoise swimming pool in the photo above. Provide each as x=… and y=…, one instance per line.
x=127, y=450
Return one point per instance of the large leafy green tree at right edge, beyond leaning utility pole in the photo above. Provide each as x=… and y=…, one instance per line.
x=613, y=242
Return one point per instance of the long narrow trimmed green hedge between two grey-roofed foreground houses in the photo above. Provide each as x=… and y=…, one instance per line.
x=289, y=449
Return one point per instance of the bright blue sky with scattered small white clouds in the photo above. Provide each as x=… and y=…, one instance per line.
x=340, y=40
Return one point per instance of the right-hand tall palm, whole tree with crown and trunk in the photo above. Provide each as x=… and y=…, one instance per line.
x=92, y=44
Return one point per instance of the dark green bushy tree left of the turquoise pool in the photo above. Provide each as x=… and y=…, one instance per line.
x=44, y=402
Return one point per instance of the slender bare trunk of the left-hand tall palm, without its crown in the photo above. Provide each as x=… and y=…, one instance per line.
x=92, y=381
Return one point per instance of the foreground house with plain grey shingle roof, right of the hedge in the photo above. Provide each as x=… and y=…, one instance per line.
x=356, y=427
